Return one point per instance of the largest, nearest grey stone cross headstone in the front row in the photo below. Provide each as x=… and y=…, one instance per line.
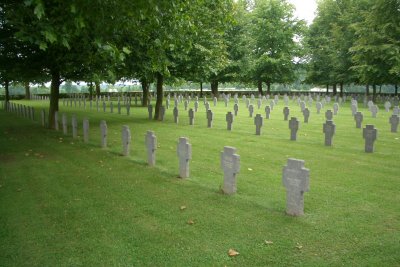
x=296, y=180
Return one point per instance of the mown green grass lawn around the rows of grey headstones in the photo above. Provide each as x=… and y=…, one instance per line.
x=67, y=203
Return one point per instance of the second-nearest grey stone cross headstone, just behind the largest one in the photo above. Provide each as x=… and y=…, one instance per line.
x=230, y=163
